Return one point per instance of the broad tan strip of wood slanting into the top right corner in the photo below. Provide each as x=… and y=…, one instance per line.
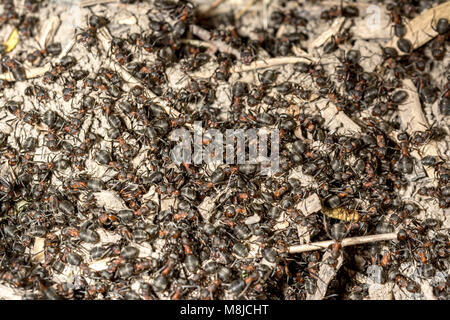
x=420, y=29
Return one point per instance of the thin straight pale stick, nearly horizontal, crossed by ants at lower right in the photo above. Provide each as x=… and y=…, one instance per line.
x=344, y=243
